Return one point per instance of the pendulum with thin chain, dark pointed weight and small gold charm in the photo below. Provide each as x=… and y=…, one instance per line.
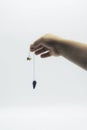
x=34, y=81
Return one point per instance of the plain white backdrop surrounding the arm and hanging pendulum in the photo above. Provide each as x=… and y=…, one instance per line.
x=60, y=98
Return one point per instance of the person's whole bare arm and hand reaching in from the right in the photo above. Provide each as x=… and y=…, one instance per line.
x=51, y=45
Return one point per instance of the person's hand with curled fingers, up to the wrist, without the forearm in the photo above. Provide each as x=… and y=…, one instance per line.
x=46, y=46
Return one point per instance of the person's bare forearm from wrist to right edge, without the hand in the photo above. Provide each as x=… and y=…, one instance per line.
x=75, y=52
